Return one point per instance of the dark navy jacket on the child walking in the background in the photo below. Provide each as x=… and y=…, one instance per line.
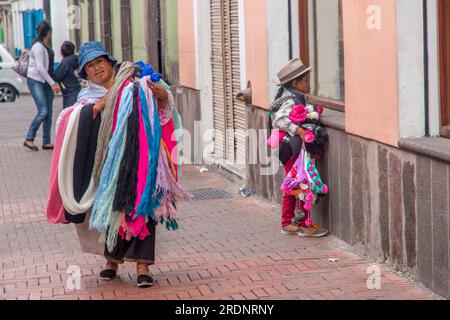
x=65, y=75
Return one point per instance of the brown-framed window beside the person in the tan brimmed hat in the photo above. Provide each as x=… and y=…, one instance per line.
x=321, y=46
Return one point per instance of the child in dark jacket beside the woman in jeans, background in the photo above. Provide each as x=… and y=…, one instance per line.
x=65, y=75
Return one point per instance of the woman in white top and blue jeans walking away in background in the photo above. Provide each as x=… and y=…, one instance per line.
x=42, y=86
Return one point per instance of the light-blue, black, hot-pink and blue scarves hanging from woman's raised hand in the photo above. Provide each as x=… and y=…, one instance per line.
x=138, y=181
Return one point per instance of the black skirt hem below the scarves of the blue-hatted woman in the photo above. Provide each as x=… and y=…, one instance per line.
x=135, y=250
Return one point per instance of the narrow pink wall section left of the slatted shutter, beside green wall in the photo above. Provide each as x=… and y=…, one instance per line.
x=186, y=42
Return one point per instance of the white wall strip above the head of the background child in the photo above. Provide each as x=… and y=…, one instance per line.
x=60, y=21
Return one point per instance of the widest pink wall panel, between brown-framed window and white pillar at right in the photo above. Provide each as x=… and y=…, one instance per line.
x=371, y=86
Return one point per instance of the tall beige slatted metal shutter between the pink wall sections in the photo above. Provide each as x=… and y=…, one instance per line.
x=229, y=114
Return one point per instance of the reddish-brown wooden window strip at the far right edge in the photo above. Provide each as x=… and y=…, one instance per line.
x=444, y=42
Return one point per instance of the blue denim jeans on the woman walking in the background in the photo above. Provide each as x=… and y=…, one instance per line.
x=43, y=97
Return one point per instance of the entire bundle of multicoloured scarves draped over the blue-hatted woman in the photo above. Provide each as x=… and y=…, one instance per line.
x=137, y=177
